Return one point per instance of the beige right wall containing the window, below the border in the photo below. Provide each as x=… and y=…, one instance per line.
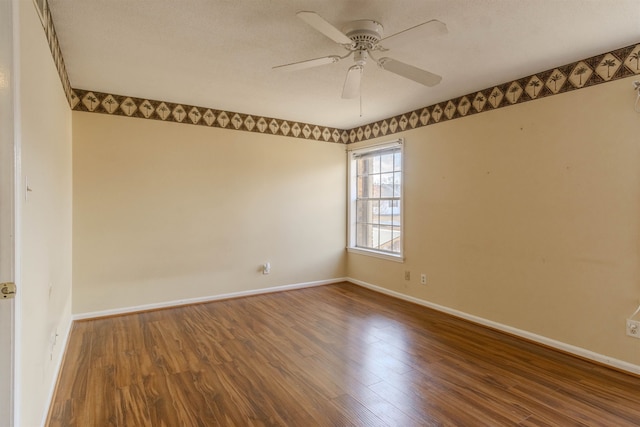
x=528, y=216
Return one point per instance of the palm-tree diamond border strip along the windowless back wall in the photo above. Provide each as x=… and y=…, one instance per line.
x=120, y=105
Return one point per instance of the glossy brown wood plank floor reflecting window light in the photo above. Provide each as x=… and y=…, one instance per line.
x=336, y=355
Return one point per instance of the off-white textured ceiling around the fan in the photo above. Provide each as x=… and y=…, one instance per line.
x=219, y=53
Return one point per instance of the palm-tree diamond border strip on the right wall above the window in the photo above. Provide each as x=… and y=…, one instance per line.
x=603, y=68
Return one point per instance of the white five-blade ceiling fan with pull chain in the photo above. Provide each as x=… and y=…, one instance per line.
x=360, y=38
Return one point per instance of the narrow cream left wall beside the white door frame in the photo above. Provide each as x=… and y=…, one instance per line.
x=45, y=220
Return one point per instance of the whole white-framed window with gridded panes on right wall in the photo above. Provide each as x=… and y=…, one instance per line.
x=375, y=207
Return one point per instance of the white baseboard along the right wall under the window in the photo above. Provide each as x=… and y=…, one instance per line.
x=567, y=348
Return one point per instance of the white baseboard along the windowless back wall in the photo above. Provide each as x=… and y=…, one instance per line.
x=177, y=303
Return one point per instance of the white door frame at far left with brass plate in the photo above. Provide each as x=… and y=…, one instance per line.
x=9, y=168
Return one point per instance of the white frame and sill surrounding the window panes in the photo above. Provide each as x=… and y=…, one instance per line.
x=352, y=195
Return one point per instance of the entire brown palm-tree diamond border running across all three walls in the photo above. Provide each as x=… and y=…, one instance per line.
x=610, y=66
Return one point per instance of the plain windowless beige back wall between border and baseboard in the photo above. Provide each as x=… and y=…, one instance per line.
x=165, y=211
